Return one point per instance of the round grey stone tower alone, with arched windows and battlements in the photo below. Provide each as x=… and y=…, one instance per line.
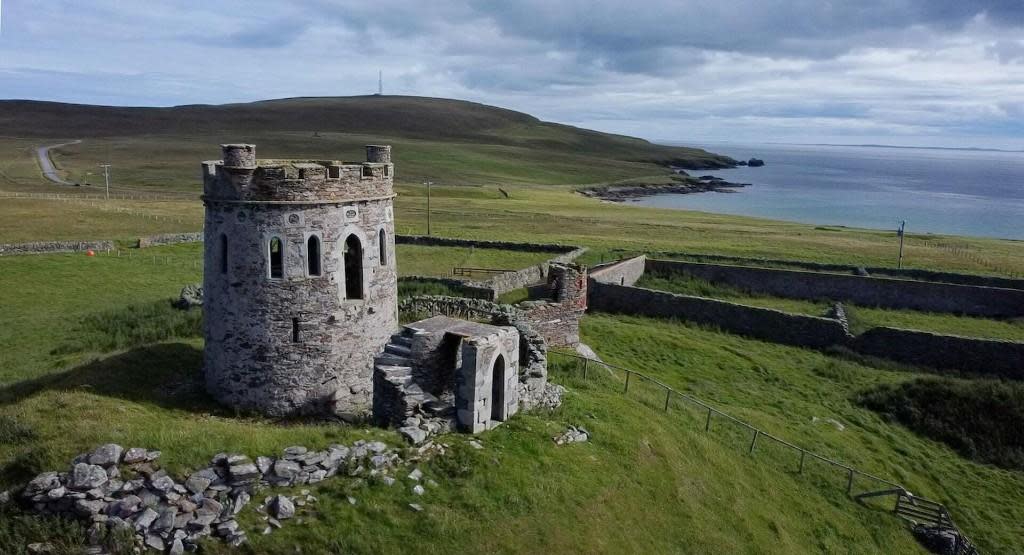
x=301, y=288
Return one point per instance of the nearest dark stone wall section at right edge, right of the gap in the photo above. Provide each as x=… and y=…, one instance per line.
x=986, y=357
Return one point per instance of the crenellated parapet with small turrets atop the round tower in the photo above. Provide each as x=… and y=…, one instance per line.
x=241, y=178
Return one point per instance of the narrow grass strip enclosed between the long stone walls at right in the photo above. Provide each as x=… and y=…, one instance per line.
x=862, y=318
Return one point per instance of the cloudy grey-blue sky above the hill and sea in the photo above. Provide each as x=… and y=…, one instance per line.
x=899, y=72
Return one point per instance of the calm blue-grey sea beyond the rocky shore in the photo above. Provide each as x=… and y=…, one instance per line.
x=967, y=193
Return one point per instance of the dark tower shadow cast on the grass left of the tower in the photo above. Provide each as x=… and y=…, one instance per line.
x=168, y=375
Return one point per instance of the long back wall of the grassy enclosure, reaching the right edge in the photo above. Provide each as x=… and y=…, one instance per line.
x=884, y=292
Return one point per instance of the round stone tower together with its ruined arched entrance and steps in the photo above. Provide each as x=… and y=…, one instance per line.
x=301, y=305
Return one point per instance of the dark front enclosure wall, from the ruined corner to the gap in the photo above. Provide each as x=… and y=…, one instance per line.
x=766, y=324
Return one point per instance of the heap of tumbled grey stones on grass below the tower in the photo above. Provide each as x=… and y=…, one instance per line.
x=116, y=491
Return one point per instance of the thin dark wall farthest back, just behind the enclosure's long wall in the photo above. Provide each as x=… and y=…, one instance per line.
x=911, y=274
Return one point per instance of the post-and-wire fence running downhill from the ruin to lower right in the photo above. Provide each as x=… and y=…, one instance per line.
x=858, y=484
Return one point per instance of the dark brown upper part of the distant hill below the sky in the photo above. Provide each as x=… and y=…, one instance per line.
x=380, y=116
